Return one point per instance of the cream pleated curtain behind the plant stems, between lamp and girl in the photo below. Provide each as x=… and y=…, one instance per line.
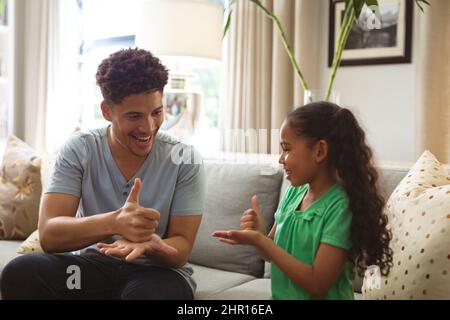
x=260, y=83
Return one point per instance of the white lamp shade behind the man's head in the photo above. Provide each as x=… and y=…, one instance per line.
x=181, y=28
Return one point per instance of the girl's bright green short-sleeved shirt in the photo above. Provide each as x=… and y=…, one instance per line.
x=327, y=220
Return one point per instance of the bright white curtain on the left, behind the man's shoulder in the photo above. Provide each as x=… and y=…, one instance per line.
x=45, y=70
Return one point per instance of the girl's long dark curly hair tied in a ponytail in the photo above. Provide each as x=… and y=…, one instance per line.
x=352, y=158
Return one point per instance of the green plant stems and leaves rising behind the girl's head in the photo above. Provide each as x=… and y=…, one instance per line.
x=352, y=12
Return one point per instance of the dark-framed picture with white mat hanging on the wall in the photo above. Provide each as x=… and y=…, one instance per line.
x=381, y=38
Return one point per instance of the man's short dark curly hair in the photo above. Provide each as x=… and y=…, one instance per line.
x=130, y=71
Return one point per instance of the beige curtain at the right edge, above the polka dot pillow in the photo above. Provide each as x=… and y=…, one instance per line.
x=433, y=87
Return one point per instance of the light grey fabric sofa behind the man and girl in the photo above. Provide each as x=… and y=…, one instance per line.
x=237, y=272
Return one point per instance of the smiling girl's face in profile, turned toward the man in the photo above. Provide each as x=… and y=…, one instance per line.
x=299, y=158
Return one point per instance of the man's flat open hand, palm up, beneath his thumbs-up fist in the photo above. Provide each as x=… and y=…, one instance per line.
x=131, y=250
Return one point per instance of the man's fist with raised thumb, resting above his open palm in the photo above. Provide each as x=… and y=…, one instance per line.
x=133, y=222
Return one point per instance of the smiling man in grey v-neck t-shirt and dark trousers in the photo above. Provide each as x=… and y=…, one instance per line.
x=117, y=196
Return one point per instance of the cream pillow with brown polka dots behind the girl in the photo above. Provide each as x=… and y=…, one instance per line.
x=419, y=218
